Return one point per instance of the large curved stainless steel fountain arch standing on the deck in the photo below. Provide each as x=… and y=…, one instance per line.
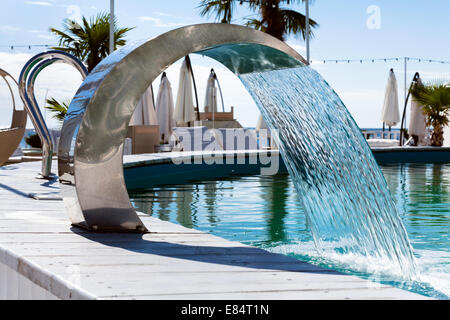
x=95, y=127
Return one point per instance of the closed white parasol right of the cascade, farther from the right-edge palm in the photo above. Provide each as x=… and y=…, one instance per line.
x=390, y=114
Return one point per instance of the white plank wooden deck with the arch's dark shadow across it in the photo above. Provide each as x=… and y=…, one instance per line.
x=171, y=262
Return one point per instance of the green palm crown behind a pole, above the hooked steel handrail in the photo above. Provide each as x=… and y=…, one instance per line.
x=90, y=41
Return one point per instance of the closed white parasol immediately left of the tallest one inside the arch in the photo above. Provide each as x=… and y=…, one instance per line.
x=164, y=109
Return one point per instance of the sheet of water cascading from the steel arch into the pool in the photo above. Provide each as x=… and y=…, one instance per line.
x=344, y=194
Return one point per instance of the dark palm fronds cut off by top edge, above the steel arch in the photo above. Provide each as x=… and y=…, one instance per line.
x=273, y=19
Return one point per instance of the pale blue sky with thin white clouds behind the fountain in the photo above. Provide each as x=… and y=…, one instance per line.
x=405, y=28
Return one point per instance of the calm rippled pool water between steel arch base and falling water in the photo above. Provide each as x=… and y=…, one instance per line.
x=255, y=209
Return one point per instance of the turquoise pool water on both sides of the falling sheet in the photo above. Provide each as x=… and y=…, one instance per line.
x=264, y=211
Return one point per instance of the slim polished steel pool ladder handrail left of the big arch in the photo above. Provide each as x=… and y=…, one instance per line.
x=27, y=78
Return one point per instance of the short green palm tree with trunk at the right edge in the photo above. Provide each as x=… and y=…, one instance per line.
x=435, y=99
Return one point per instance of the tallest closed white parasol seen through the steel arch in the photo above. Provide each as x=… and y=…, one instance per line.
x=184, y=107
